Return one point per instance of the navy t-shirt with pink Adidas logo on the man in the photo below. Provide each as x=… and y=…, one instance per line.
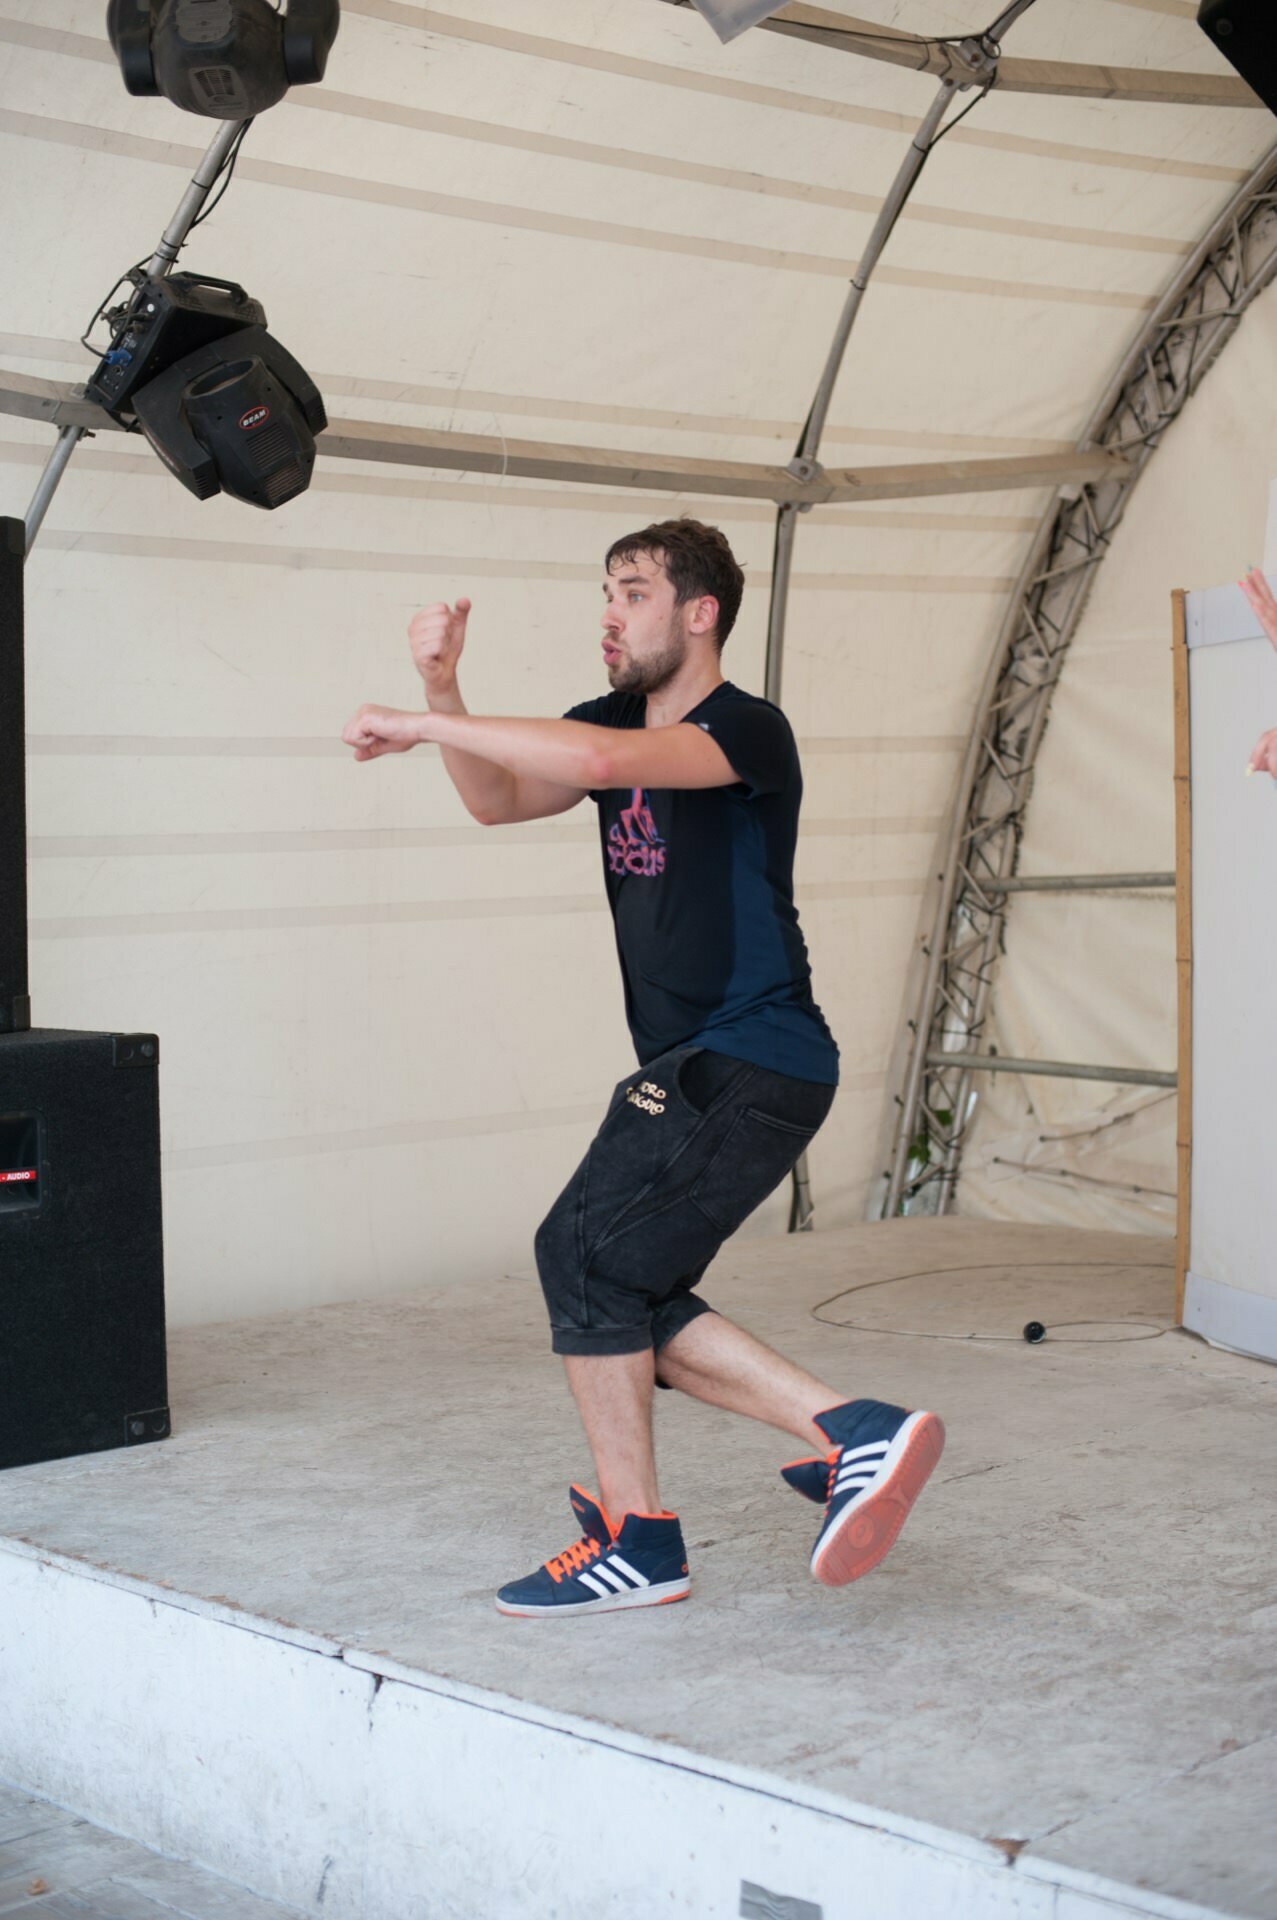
x=702, y=892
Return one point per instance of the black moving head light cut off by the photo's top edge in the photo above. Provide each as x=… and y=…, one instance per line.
x=224, y=59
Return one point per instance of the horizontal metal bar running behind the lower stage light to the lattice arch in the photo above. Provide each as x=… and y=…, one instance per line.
x=544, y=460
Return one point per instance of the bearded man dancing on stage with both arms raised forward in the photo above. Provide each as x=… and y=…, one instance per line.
x=698, y=788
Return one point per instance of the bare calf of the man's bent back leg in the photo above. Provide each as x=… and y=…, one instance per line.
x=725, y=1366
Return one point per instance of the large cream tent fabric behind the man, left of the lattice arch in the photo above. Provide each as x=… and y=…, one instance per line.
x=387, y=1032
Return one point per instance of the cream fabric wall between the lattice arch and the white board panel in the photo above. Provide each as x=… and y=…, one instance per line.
x=1094, y=978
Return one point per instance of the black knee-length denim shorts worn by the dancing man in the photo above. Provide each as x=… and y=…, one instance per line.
x=690, y=1145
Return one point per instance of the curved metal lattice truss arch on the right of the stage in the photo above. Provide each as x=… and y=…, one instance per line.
x=1159, y=375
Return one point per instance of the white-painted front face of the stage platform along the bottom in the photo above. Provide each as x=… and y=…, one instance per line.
x=358, y=1788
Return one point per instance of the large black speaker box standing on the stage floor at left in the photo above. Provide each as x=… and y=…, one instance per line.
x=82, y=1255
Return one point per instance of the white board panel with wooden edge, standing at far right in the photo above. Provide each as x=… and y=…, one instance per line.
x=1234, y=1214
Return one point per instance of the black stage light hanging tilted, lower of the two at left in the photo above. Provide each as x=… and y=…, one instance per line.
x=222, y=402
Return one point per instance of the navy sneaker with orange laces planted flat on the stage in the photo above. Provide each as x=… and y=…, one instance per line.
x=642, y=1564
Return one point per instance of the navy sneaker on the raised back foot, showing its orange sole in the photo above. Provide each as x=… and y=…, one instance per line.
x=880, y=1462
